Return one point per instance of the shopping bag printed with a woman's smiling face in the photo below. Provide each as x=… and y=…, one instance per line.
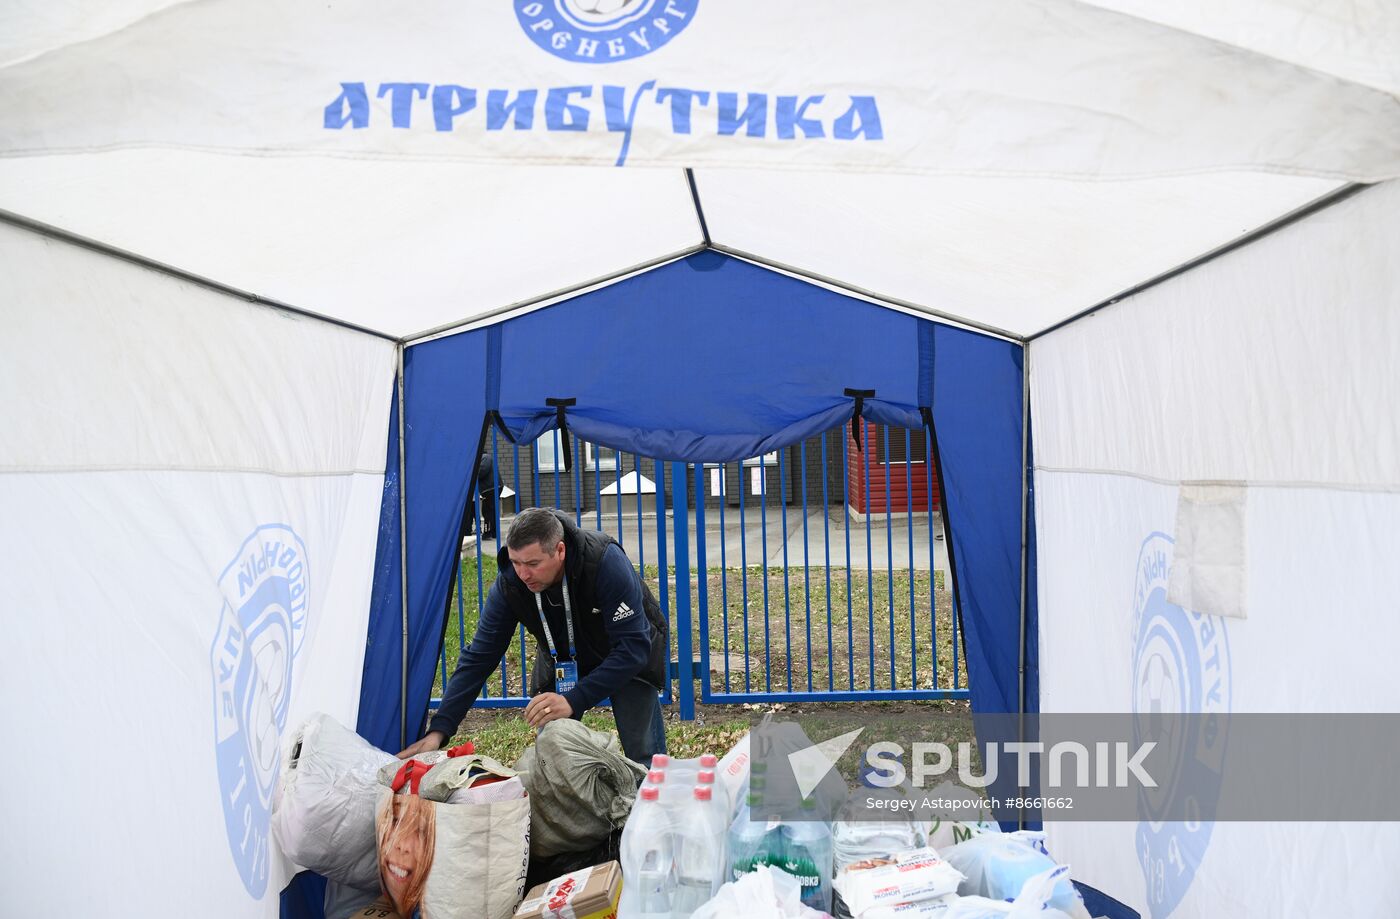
x=451, y=859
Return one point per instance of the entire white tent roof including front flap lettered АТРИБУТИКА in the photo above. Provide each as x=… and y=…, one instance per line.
x=1007, y=163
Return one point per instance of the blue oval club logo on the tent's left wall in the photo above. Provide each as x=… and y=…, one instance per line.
x=261, y=627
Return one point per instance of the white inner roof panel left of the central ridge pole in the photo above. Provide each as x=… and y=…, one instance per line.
x=397, y=247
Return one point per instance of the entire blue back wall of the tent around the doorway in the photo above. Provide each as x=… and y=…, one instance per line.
x=703, y=359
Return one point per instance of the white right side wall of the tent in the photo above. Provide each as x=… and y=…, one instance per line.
x=1270, y=371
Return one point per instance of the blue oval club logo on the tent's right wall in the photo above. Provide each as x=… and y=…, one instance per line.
x=1181, y=666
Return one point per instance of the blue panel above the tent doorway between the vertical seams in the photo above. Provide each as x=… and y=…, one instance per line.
x=708, y=359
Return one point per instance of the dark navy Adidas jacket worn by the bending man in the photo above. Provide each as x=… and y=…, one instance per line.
x=618, y=628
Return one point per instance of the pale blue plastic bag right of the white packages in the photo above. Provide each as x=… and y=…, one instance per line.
x=1002, y=866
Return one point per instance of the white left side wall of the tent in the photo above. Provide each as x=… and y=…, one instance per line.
x=191, y=490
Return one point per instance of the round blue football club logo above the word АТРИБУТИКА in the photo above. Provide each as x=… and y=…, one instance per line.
x=603, y=32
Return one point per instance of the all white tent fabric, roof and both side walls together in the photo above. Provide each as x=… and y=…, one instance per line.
x=1186, y=218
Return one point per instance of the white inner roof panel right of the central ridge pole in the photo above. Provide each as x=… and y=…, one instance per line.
x=1014, y=254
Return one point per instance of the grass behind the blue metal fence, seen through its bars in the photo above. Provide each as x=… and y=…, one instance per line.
x=853, y=644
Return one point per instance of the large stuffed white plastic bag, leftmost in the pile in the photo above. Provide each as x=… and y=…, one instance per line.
x=323, y=812
